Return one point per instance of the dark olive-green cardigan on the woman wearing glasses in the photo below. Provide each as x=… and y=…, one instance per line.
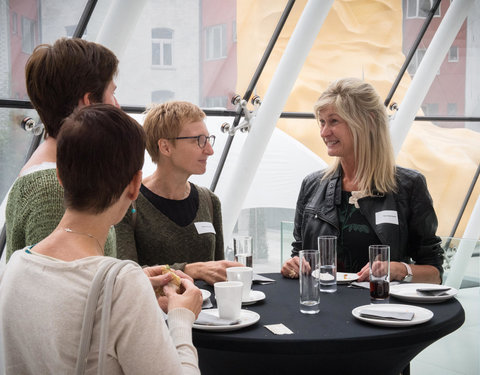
x=149, y=237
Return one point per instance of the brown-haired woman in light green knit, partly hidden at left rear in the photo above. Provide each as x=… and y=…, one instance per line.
x=70, y=73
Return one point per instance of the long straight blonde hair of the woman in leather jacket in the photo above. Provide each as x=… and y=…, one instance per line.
x=361, y=107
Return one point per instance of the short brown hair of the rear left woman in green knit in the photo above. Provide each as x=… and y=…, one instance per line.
x=59, y=75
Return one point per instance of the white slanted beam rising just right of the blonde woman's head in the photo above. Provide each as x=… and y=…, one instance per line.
x=427, y=70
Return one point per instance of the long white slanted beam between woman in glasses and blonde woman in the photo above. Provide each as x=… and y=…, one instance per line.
x=289, y=67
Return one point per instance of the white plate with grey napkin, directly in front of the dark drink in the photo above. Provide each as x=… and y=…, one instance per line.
x=421, y=315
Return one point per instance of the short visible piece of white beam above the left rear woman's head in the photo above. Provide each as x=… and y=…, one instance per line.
x=119, y=24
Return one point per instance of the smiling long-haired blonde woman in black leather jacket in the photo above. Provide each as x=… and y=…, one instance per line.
x=363, y=198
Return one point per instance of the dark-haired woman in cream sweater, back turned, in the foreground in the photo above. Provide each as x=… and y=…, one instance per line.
x=44, y=289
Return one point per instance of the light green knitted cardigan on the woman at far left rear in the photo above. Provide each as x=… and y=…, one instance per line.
x=34, y=209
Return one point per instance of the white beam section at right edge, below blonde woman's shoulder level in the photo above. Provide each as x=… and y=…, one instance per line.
x=465, y=249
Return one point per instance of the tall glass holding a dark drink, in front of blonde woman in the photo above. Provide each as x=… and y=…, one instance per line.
x=379, y=257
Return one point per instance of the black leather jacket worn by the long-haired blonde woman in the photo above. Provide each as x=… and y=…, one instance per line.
x=412, y=238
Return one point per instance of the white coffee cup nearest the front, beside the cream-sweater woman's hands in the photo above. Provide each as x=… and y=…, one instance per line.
x=229, y=299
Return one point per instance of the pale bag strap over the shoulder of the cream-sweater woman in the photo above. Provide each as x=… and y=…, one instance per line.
x=105, y=276
